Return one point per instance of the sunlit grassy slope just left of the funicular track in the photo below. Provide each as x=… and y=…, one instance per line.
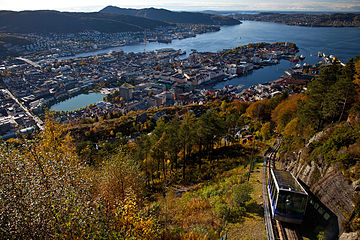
x=199, y=213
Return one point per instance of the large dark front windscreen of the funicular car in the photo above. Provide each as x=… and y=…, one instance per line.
x=291, y=203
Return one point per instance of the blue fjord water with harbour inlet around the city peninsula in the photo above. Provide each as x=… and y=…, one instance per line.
x=340, y=42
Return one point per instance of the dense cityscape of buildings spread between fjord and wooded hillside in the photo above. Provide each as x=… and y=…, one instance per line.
x=141, y=80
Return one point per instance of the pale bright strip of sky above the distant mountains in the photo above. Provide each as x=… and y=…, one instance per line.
x=95, y=5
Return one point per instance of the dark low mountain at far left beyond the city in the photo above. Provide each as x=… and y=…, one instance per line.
x=66, y=22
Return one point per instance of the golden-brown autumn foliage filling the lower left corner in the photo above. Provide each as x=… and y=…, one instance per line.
x=47, y=193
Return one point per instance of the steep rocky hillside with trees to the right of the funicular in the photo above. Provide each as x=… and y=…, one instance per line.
x=321, y=143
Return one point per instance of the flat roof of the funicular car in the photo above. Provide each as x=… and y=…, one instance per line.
x=286, y=181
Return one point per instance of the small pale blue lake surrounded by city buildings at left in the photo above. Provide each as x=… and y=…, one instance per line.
x=78, y=102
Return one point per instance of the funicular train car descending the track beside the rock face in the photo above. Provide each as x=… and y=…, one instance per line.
x=288, y=199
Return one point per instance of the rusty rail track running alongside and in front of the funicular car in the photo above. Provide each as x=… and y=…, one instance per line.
x=275, y=229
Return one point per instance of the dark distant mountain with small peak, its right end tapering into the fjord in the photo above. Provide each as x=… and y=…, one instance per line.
x=173, y=17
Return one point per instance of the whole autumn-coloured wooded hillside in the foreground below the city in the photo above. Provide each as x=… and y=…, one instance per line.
x=185, y=175
